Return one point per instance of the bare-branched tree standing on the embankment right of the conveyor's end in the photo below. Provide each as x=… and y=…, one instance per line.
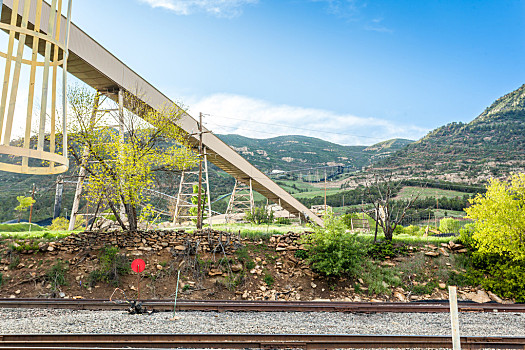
x=380, y=192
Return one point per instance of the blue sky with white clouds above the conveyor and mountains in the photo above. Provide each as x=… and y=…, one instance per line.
x=348, y=71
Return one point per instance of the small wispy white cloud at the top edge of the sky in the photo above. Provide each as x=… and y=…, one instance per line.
x=218, y=8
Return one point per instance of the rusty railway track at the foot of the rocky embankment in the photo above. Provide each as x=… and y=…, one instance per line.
x=262, y=306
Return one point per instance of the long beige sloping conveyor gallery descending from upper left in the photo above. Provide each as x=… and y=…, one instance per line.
x=98, y=68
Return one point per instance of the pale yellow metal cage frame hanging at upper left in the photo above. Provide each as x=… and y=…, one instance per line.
x=55, y=53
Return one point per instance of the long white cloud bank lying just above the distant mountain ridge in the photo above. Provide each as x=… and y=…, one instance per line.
x=234, y=114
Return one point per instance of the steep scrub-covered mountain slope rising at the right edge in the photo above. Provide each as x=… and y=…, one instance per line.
x=493, y=144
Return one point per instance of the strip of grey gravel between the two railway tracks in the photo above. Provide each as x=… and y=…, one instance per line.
x=34, y=321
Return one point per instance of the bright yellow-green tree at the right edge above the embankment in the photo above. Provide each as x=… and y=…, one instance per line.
x=499, y=216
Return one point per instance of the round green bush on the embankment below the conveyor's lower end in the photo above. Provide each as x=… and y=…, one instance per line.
x=333, y=251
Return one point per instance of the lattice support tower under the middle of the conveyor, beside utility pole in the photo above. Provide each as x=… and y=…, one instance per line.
x=184, y=203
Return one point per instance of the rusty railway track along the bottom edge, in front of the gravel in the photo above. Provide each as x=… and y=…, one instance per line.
x=245, y=341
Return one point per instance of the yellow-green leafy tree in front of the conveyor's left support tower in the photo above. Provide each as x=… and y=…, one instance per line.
x=121, y=164
